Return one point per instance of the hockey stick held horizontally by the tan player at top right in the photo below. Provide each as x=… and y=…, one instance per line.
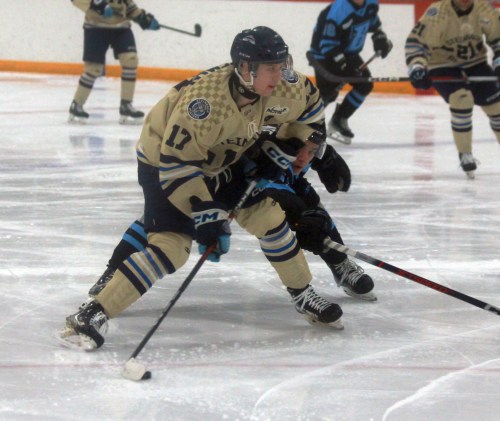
x=341, y=79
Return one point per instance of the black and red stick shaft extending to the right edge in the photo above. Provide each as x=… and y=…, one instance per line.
x=329, y=244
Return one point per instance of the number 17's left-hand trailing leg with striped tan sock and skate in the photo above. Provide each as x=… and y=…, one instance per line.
x=170, y=236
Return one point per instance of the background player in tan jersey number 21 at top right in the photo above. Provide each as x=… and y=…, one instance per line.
x=449, y=41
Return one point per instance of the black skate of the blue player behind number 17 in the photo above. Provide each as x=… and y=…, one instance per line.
x=353, y=280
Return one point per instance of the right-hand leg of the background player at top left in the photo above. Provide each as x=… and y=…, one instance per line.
x=125, y=50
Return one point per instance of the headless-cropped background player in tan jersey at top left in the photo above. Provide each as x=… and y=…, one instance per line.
x=107, y=24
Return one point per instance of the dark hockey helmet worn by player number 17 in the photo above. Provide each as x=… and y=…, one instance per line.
x=258, y=45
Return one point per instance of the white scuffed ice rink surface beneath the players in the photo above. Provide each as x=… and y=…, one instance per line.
x=233, y=347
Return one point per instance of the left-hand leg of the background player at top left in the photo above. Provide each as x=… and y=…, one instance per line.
x=95, y=44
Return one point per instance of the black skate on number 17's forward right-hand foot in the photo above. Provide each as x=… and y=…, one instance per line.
x=315, y=308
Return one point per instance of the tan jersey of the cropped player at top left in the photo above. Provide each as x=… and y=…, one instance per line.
x=123, y=11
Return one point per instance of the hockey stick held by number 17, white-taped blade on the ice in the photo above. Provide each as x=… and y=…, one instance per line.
x=136, y=371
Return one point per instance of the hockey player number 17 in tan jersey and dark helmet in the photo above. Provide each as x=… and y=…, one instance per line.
x=201, y=127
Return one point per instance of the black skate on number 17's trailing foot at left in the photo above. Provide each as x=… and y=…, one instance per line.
x=85, y=328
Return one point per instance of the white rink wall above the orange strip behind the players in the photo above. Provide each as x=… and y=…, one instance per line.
x=51, y=31
